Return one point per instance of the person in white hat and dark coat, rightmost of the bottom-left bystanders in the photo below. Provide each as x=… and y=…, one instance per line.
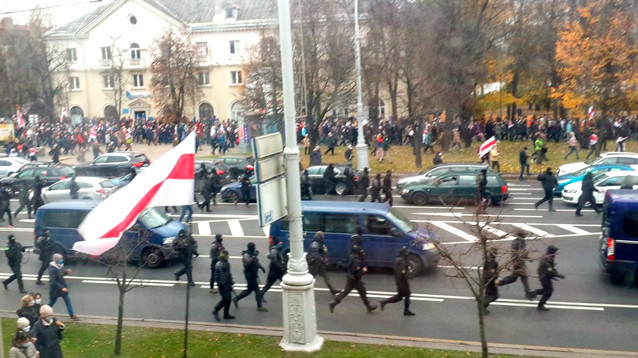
x=47, y=333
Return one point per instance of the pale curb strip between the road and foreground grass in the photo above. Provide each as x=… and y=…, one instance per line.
x=362, y=338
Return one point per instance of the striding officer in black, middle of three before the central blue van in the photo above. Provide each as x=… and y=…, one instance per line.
x=356, y=270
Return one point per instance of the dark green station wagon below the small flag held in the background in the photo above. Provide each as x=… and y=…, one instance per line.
x=456, y=187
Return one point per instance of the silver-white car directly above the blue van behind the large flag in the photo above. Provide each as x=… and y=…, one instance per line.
x=91, y=188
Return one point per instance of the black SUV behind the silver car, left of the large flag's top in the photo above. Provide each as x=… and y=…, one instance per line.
x=113, y=164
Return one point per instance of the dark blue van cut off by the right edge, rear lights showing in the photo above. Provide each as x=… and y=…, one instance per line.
x=619, y=238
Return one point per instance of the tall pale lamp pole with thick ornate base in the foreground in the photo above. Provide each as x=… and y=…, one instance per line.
x=300, y=319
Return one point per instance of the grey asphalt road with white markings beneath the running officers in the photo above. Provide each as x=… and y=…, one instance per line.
x=588, y=311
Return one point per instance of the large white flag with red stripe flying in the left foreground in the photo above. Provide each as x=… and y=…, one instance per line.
x=167, y=181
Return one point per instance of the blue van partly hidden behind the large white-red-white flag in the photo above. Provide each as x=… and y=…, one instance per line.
x=62, y=219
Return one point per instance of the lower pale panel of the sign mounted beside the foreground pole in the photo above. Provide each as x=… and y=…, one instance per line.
x=271, y=200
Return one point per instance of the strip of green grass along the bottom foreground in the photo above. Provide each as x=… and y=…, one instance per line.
x=89, y=340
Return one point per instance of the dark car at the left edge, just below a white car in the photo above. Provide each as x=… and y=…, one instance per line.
x=48, y=173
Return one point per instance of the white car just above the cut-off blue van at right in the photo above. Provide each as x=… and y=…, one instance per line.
x=602, y=182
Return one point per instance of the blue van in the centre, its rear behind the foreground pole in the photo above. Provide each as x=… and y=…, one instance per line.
x=385, y=232
